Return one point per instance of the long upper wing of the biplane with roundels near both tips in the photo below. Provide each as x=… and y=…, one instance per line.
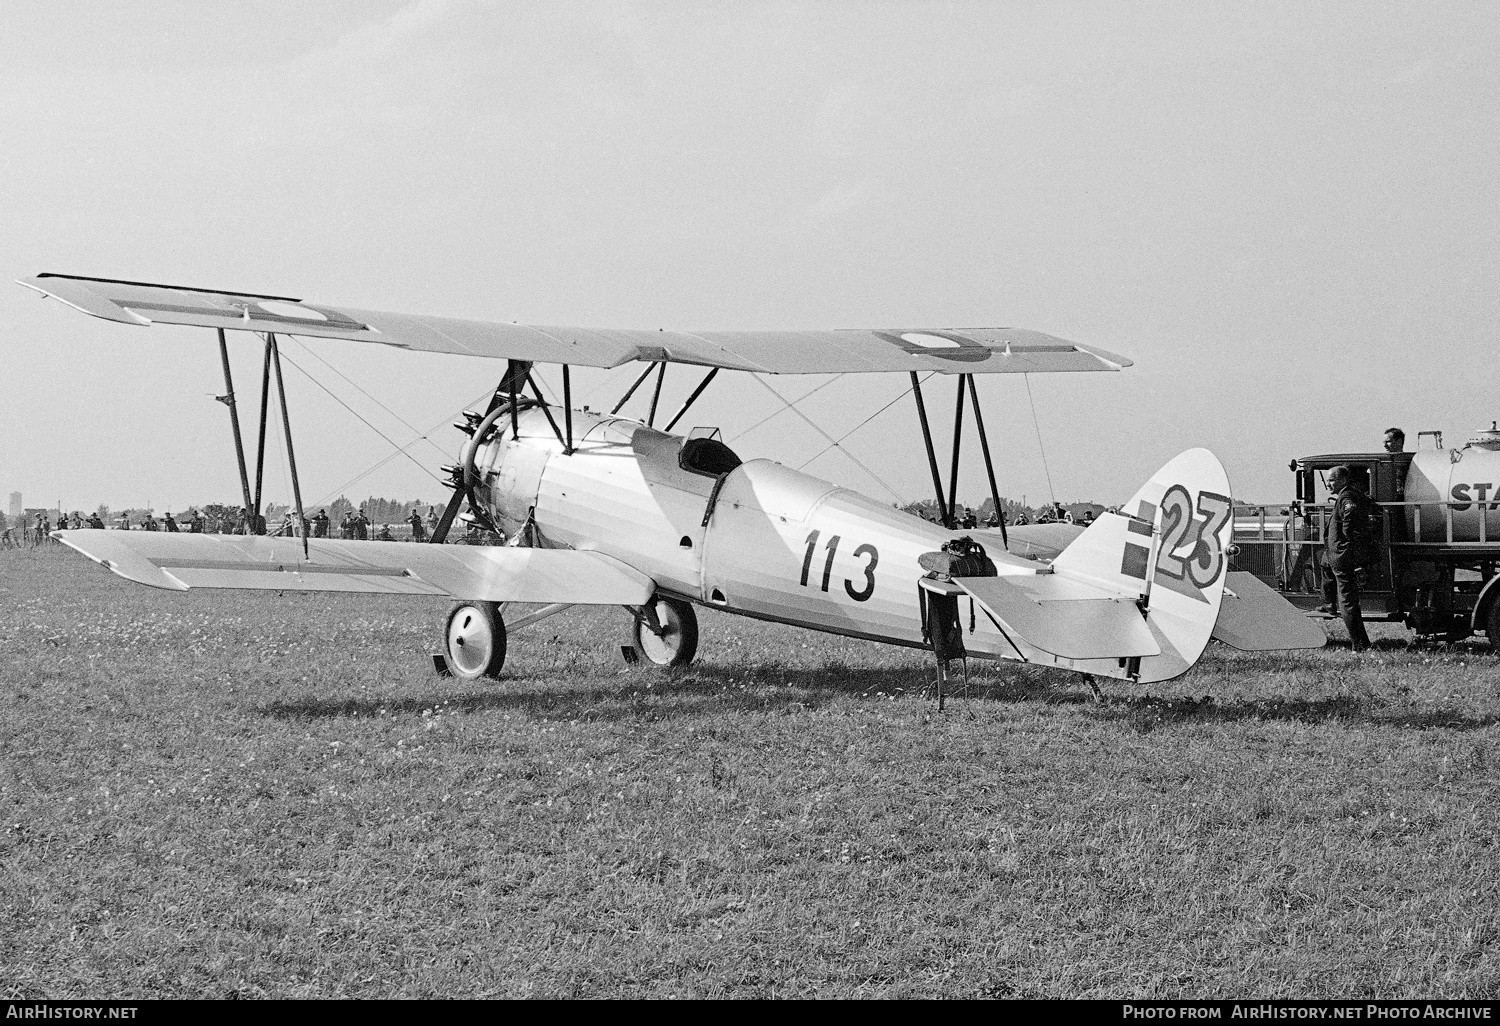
x=815, y=352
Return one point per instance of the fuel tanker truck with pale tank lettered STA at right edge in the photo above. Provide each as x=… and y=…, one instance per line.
x=1436, y=527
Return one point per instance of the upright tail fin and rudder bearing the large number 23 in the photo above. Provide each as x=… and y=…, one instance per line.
x=1168, y=545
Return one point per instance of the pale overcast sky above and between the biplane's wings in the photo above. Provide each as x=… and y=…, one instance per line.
x=1283, y=214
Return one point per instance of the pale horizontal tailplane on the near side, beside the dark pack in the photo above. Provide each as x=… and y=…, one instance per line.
x=1067, y=619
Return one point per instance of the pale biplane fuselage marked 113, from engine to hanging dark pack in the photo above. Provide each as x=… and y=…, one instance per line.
x=766, y=542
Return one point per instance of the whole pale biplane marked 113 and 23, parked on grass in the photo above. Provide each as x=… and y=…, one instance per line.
x=604, y=509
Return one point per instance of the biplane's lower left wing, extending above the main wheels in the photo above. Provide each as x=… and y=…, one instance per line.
x=491, y=574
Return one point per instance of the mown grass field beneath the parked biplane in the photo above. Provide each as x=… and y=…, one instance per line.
x=227, y=794
